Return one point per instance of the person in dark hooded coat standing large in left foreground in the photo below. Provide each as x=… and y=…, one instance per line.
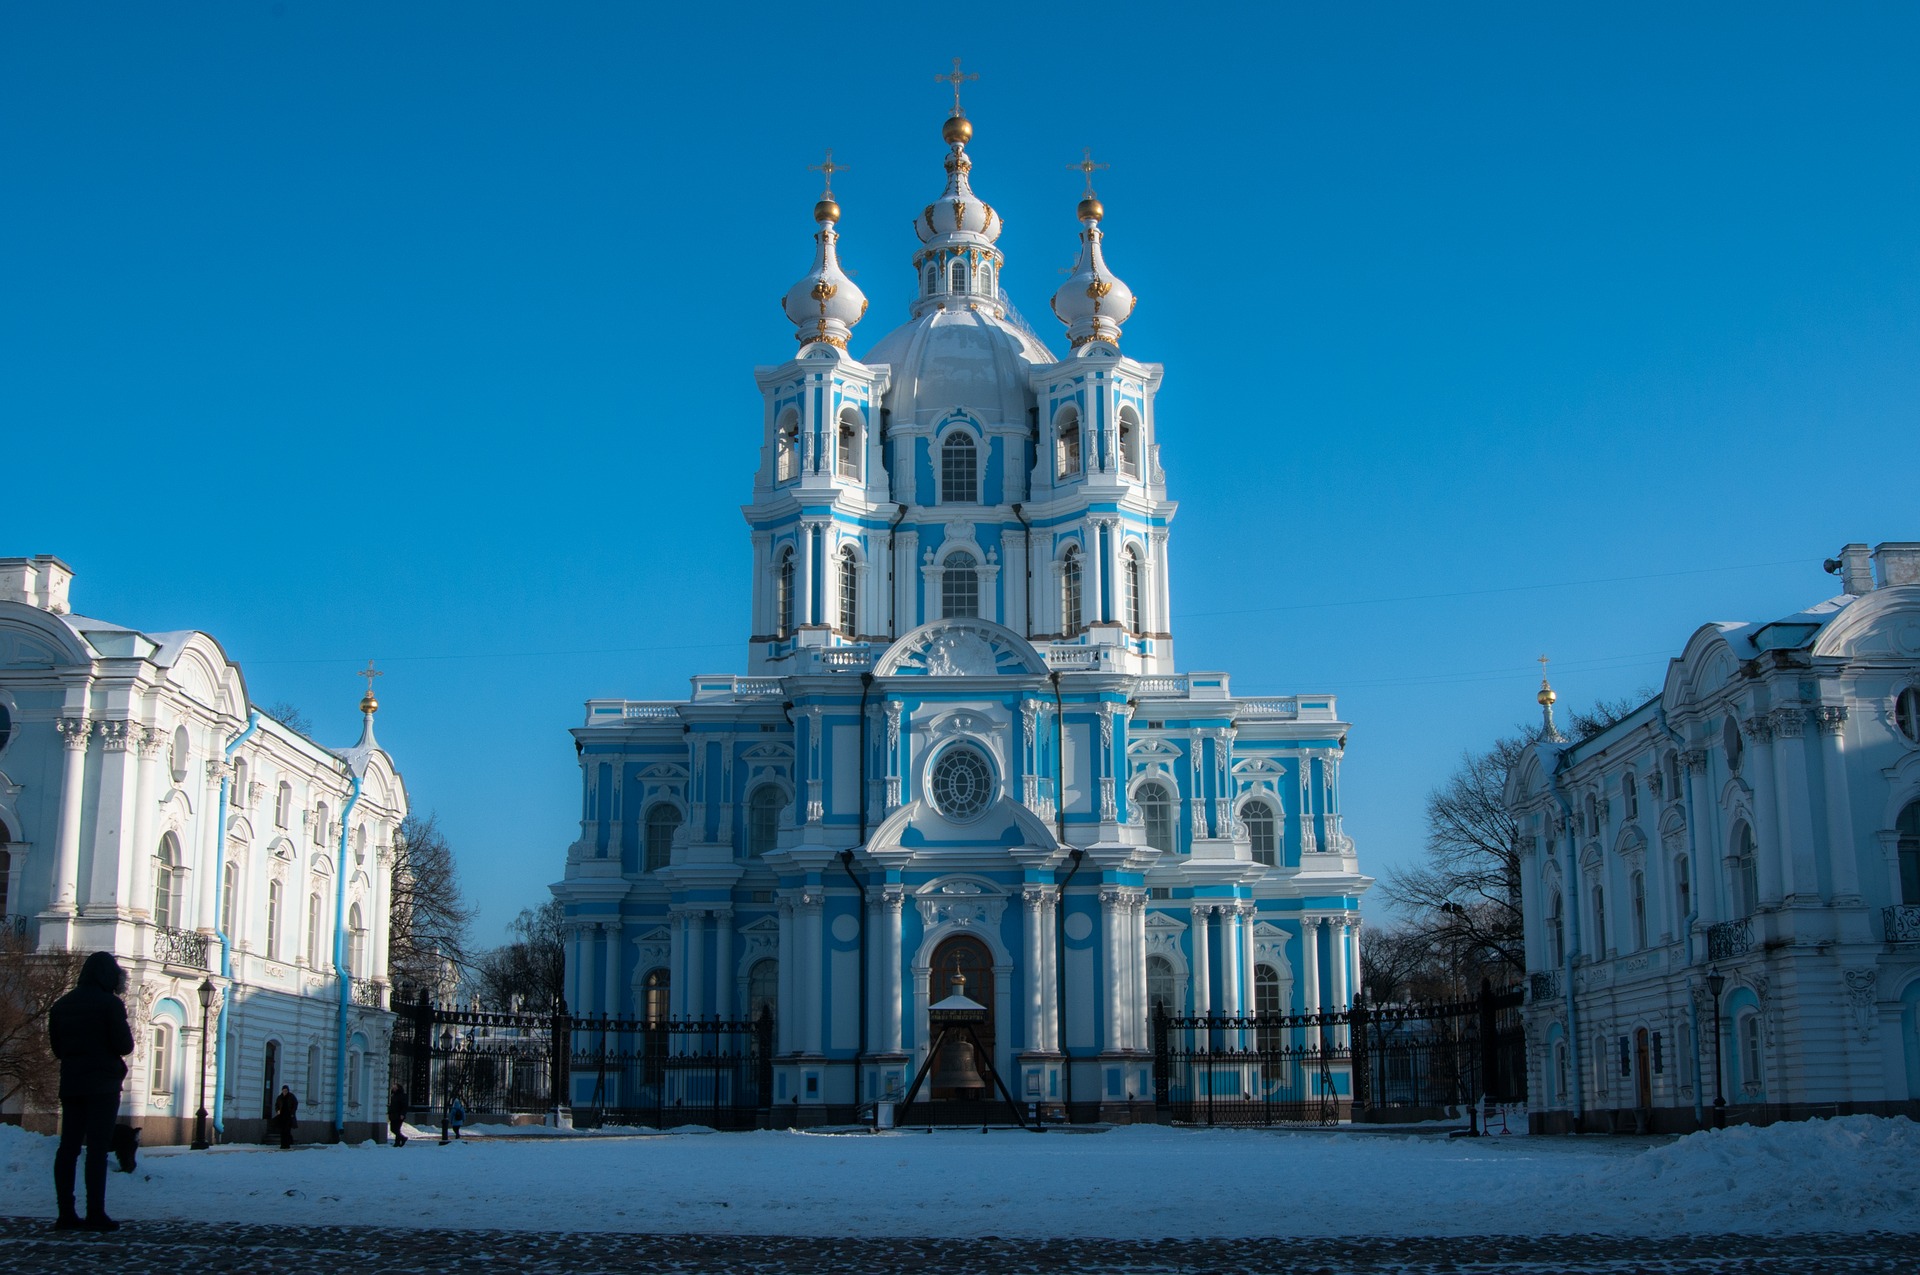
x=91, y=1036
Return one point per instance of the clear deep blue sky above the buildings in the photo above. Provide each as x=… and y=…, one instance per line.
x=427, y=333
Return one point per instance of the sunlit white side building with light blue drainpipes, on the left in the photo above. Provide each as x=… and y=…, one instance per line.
x=149, y=811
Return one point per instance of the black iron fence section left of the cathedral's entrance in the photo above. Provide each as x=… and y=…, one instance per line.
x=604, y=1071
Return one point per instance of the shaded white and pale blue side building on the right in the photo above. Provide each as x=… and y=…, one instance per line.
x=1723, y=890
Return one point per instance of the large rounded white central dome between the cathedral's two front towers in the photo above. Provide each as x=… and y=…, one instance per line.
x=959, y=358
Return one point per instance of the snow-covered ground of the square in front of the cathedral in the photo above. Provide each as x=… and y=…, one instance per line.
x=1850, y=1174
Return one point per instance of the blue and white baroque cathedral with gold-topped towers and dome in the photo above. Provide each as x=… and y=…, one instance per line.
x=963, y=756
